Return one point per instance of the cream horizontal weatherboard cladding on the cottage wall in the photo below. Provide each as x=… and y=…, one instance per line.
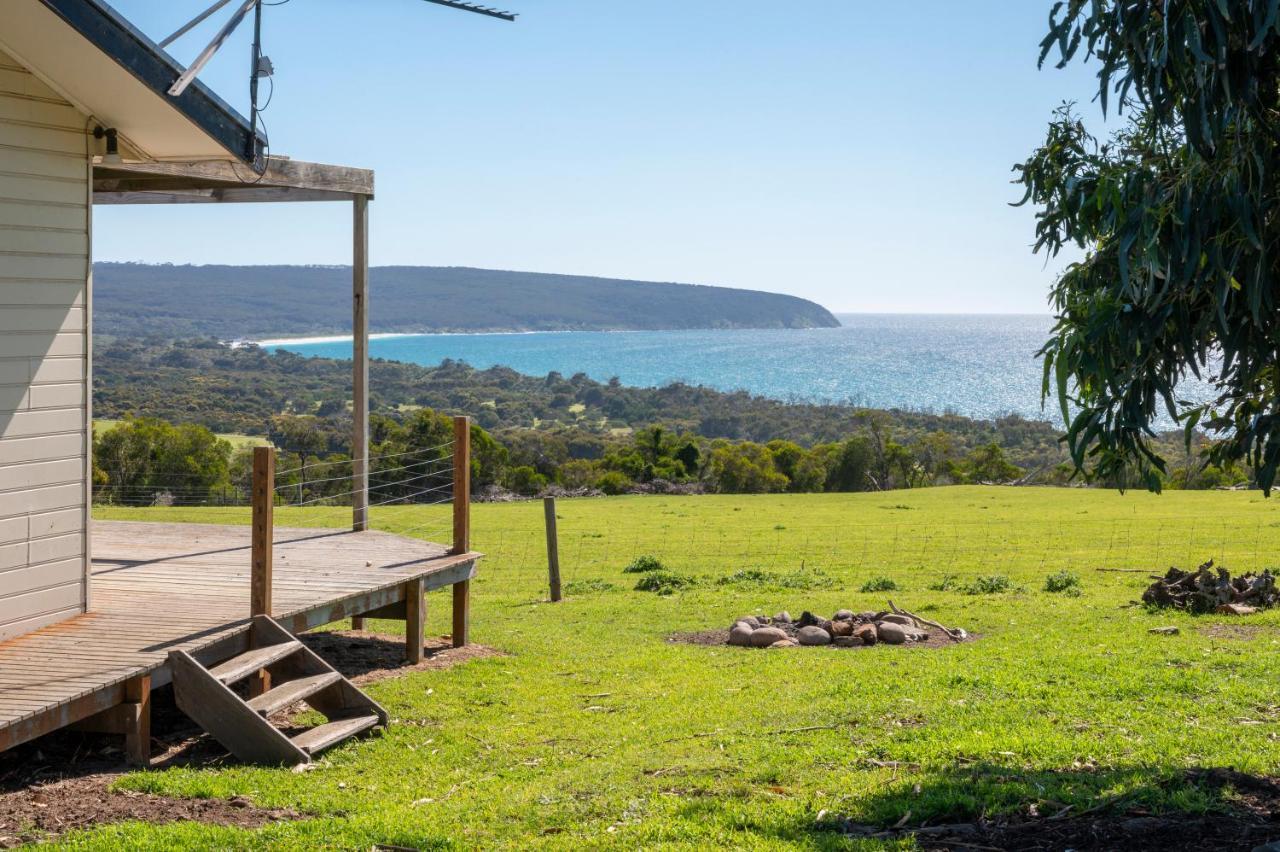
x=45, y=283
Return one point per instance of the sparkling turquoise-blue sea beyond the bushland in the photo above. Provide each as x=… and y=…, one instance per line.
x=975, y=365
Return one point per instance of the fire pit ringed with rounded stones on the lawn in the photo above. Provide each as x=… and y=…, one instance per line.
x=845, y=629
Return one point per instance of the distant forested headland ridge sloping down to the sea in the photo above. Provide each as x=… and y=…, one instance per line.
x=246, y=303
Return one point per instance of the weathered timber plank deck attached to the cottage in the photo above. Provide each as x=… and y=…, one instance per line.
x=164, y=587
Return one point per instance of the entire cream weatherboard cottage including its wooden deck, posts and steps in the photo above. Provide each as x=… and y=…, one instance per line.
x=95, y=113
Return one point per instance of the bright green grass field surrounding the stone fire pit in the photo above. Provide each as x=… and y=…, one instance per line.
x=598, y=732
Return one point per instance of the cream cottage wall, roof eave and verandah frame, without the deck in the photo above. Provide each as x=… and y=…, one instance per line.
x=86, y=118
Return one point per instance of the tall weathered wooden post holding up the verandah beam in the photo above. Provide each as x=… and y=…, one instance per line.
x=360, y=365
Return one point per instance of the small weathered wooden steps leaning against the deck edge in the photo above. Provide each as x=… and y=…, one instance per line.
x=244, y=726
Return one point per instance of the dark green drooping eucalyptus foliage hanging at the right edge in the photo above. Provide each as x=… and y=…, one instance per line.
x=1178, y=214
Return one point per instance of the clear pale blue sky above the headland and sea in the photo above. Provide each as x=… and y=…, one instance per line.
x=849, y=152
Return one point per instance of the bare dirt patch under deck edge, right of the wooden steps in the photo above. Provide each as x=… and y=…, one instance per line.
x=367, y=657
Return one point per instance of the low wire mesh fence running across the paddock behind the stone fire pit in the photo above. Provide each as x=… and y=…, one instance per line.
x=598, y=546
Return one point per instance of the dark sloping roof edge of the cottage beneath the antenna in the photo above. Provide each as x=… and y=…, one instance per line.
x=112, y=34
